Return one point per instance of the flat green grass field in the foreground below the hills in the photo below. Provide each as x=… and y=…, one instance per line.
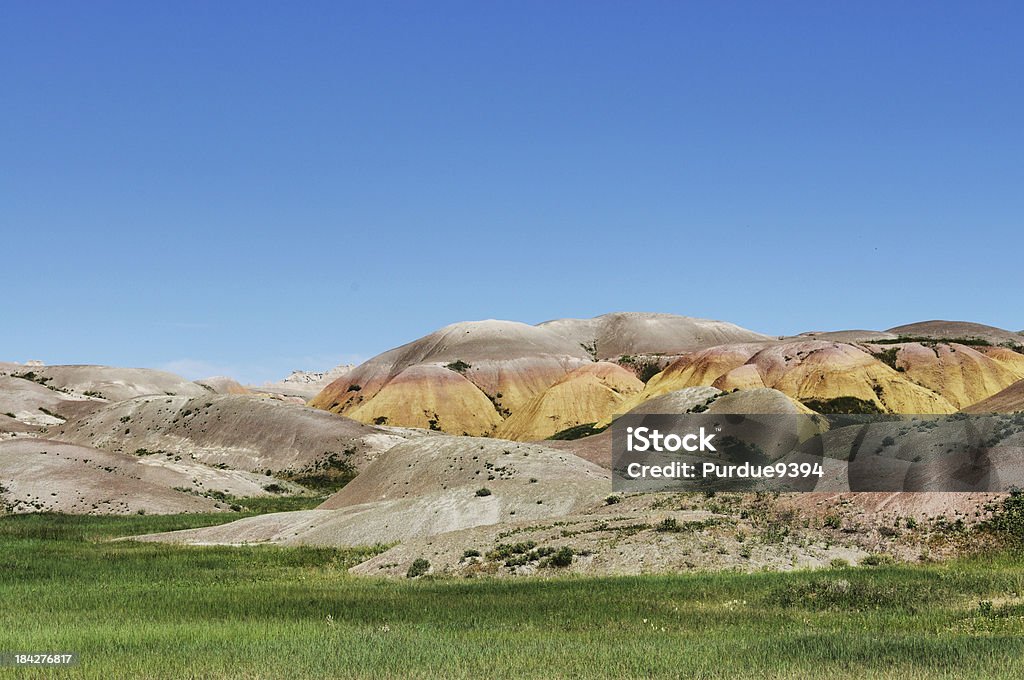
x=147, y=611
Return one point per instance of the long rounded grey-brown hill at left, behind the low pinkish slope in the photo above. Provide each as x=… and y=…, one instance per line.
x=242, y=433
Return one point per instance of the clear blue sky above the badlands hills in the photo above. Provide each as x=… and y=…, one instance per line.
x=249, y=188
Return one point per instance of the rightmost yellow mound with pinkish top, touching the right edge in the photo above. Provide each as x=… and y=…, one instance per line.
x=962, y=374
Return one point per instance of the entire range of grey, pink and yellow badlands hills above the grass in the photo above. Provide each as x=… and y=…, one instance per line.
x=482, y=447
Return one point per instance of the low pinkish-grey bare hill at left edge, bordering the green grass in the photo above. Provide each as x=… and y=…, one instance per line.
x=40, y=476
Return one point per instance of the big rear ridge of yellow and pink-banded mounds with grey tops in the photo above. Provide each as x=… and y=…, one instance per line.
x=527, y=384
